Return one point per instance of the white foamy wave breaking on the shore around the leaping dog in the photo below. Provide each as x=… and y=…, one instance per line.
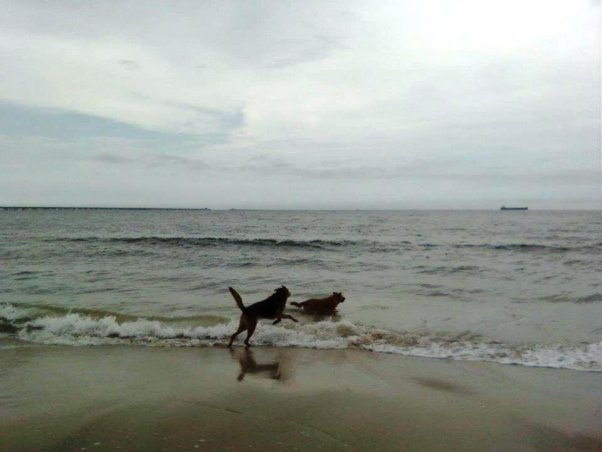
x=79, y=329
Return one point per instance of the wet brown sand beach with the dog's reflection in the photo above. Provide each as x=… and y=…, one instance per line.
x=143, y=398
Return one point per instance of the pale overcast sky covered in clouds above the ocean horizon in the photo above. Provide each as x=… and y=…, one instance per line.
x=300, y=104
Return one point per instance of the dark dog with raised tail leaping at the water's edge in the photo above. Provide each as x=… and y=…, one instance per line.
x=270, y=308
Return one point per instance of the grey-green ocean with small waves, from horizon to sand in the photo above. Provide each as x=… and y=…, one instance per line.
x=514, y=287
